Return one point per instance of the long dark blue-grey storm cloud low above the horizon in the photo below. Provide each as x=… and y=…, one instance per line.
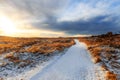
x=93, y=26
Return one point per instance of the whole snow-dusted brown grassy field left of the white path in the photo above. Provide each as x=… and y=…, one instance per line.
x=16, y=54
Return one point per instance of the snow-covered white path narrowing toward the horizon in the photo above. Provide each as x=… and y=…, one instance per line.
x=75, y=64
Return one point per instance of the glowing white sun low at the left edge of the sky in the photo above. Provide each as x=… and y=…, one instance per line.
x=7, y=26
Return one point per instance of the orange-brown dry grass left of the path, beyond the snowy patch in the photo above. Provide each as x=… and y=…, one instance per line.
x=14, y=46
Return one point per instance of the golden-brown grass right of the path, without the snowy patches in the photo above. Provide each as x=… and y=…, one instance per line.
x=95, y=46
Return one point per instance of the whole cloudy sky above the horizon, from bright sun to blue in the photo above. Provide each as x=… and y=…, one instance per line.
x=55, y=18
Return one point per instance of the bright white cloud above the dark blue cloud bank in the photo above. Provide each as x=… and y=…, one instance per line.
x=88, y=10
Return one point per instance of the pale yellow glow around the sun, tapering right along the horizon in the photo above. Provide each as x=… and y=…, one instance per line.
x=17, y=28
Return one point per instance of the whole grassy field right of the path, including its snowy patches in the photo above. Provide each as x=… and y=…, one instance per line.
x=105, y=49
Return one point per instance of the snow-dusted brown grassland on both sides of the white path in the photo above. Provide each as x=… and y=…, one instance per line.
x=21, y=52
